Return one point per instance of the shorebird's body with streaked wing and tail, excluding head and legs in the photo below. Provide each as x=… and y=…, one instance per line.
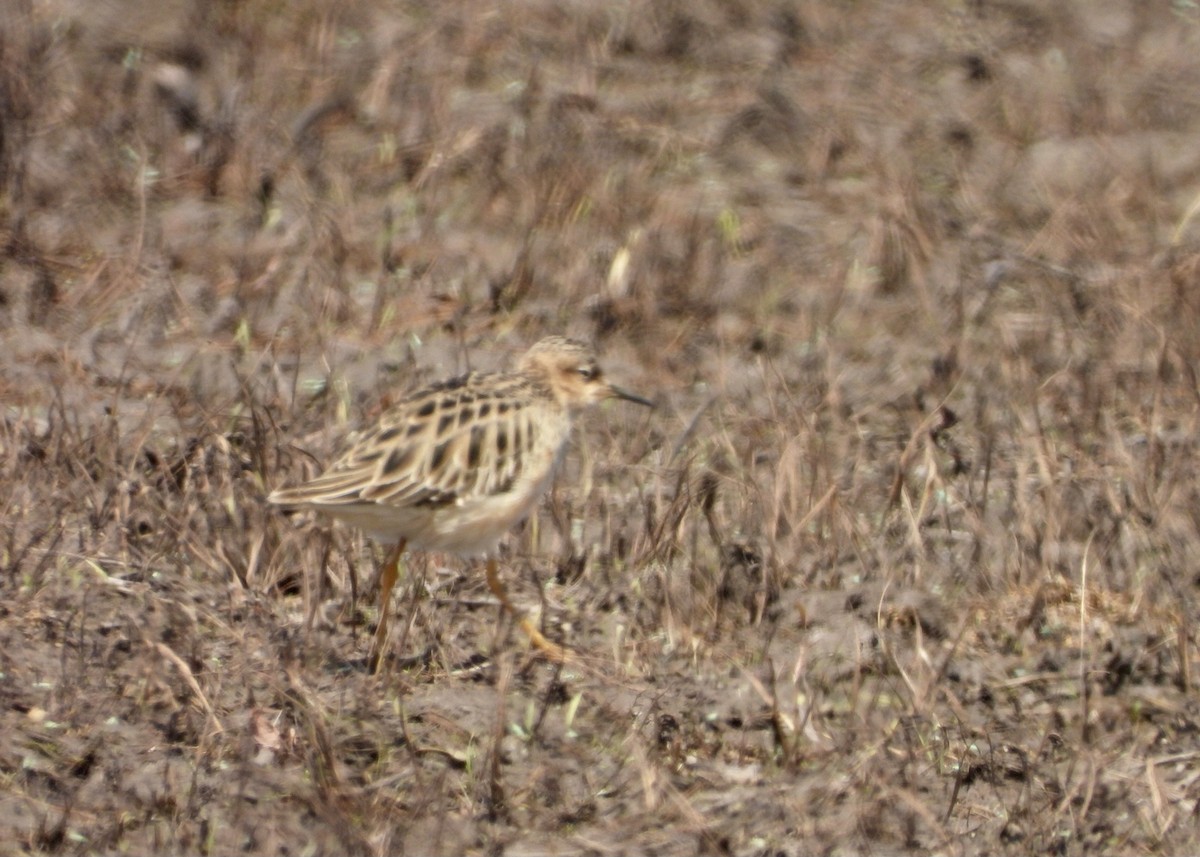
x=451, y=468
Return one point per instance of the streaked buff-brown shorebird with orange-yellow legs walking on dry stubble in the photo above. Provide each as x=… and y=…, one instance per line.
x=457, y=465
